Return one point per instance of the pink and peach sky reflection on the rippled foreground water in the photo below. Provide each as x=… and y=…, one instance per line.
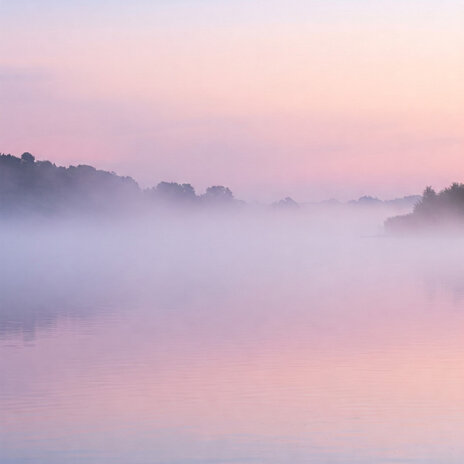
x=383, y=378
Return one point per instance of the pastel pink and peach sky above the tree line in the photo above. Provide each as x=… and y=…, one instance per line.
x=302, y=98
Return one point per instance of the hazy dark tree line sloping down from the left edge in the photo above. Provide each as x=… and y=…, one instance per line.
x=28, y=185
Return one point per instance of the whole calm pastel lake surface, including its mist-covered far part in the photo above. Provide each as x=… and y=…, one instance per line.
x=240, y=347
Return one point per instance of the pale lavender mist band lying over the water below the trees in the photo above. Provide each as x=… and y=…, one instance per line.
x=173, y=261
